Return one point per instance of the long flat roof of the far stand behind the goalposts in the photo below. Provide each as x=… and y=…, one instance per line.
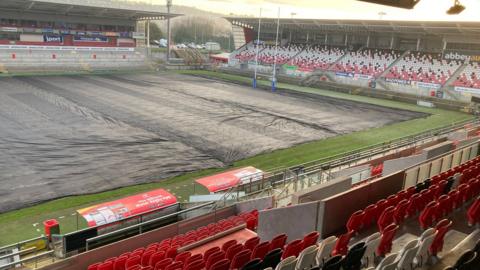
x=365, y=26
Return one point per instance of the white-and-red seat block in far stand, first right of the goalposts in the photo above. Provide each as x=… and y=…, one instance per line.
x=317, y=57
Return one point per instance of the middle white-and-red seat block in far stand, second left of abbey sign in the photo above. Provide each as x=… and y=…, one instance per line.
x=370, y=62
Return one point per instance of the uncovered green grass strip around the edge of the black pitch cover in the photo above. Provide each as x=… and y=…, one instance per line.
x=18, y=225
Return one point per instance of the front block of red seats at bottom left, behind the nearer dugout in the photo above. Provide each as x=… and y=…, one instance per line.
x=155, y=256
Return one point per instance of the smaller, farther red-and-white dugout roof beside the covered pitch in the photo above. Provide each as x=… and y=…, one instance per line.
x=230, y=179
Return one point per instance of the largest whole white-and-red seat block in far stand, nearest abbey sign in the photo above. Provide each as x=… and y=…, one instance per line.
x=424, y=67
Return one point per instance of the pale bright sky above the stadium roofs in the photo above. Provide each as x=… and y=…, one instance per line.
x=335, y=9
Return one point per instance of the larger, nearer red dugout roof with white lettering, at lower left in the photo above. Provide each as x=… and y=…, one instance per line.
x=109, y=212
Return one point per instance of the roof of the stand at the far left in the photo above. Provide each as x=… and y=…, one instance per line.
x=81, y=8
